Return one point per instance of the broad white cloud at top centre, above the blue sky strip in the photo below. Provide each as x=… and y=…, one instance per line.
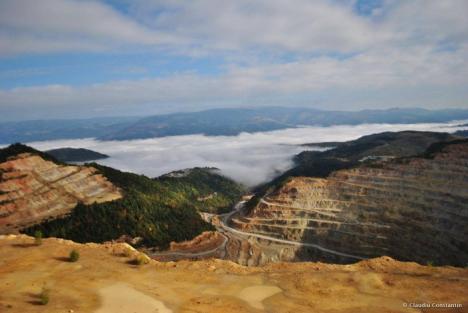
x=302, y=25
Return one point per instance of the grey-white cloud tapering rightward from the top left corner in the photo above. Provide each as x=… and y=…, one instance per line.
x=68, y=25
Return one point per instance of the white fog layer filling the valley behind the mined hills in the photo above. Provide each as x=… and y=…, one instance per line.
x=247, y=158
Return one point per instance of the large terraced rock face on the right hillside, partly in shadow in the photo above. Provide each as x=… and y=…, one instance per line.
x=410, y=209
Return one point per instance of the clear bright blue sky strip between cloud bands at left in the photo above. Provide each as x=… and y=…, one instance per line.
x=80, y=69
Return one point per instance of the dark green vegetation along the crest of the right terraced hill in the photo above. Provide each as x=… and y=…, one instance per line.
x=348, y=154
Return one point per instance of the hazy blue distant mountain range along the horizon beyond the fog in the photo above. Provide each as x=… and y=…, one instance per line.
x=215, y=122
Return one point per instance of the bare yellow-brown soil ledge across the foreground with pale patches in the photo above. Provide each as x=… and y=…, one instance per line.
x=105, y=280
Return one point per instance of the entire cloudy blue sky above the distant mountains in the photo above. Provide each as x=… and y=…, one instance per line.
x=70, y=58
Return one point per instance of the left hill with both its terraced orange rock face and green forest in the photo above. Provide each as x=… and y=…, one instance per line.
x=94, y=203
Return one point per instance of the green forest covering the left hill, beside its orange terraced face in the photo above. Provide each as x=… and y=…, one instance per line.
x=157, y=210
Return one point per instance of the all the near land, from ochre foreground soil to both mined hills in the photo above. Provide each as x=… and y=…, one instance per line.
x=374, y=230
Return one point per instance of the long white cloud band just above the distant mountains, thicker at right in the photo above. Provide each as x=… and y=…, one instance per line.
x=295, y=83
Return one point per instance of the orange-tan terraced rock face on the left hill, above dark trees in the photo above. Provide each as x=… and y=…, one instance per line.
x=33, y=189
